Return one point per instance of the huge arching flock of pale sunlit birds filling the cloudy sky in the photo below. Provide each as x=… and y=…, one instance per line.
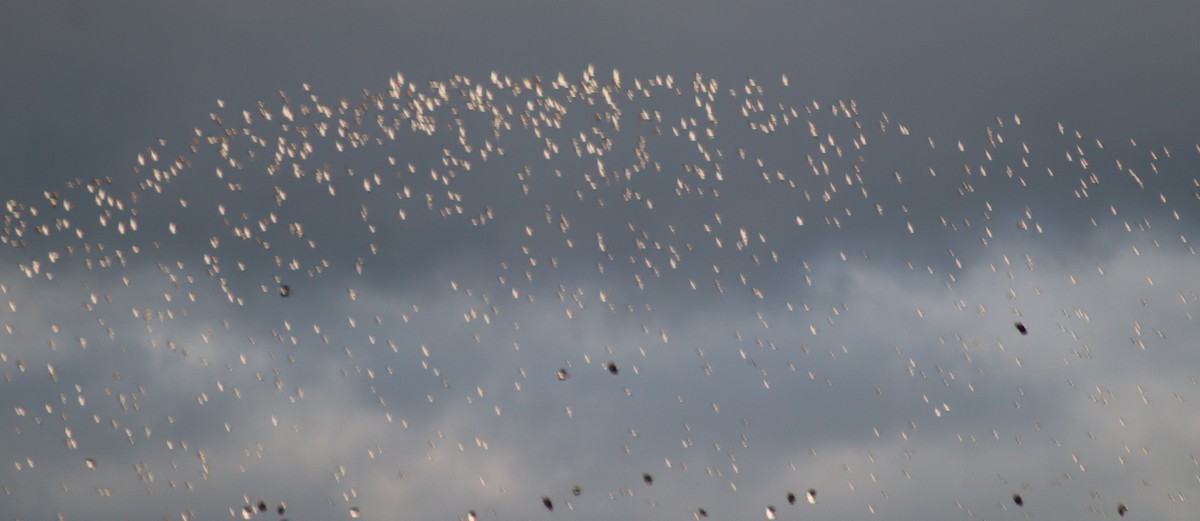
x=658, y=230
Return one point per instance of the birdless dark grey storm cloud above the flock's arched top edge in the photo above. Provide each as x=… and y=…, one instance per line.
x=99, y=82
